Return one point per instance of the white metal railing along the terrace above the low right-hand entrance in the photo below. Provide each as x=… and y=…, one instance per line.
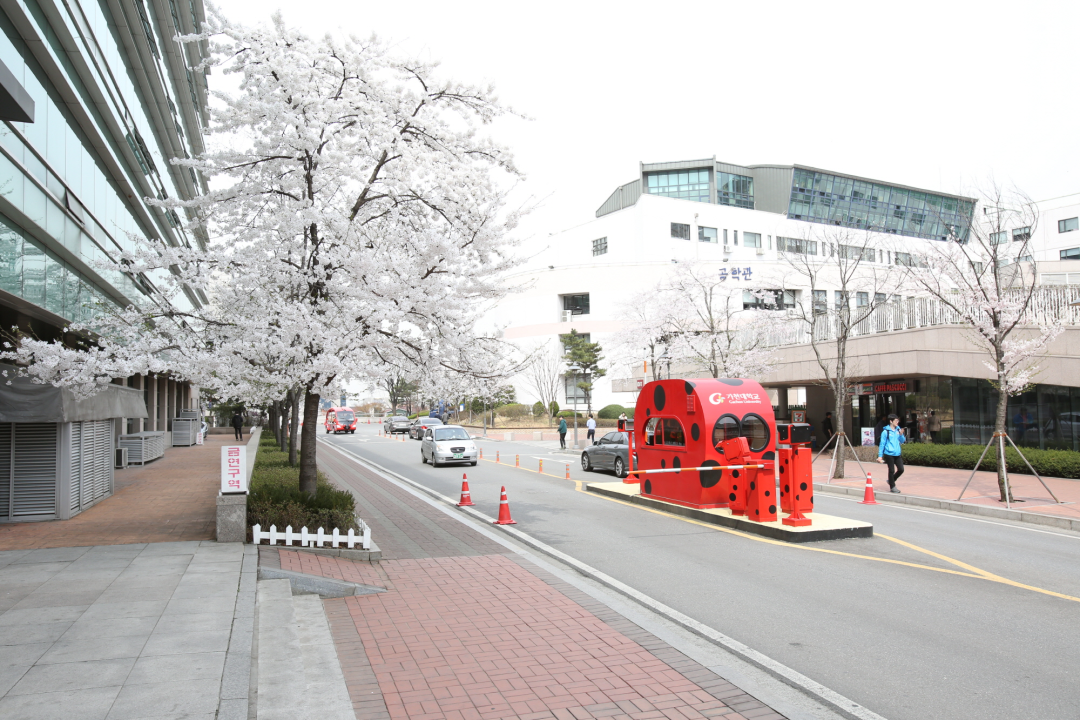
x=1049, y=306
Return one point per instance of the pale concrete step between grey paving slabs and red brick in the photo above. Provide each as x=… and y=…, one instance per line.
x=300, y=676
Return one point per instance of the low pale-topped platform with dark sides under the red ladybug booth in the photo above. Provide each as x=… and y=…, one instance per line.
x=825, y=527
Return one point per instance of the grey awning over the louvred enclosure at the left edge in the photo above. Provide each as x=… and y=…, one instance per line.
x=24, y=401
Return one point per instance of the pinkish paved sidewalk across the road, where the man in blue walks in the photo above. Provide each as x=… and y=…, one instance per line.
x=947, y=484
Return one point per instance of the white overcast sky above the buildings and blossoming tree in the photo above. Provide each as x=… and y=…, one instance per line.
x=938, y=96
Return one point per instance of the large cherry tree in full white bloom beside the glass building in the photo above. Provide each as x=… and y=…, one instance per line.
x=357, y=222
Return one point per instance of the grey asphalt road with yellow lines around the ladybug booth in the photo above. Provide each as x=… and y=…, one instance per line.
x=941, y=627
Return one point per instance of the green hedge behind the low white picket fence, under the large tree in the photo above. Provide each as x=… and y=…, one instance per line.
x=275, y=496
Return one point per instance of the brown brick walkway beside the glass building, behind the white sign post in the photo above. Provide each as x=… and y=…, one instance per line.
x=172, y=499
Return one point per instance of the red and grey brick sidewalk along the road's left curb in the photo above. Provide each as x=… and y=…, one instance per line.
x=470, y=631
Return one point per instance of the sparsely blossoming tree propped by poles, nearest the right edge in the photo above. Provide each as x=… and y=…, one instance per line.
x=987, y=277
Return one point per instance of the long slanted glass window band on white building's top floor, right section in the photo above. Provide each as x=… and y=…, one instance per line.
x=834, y=200
